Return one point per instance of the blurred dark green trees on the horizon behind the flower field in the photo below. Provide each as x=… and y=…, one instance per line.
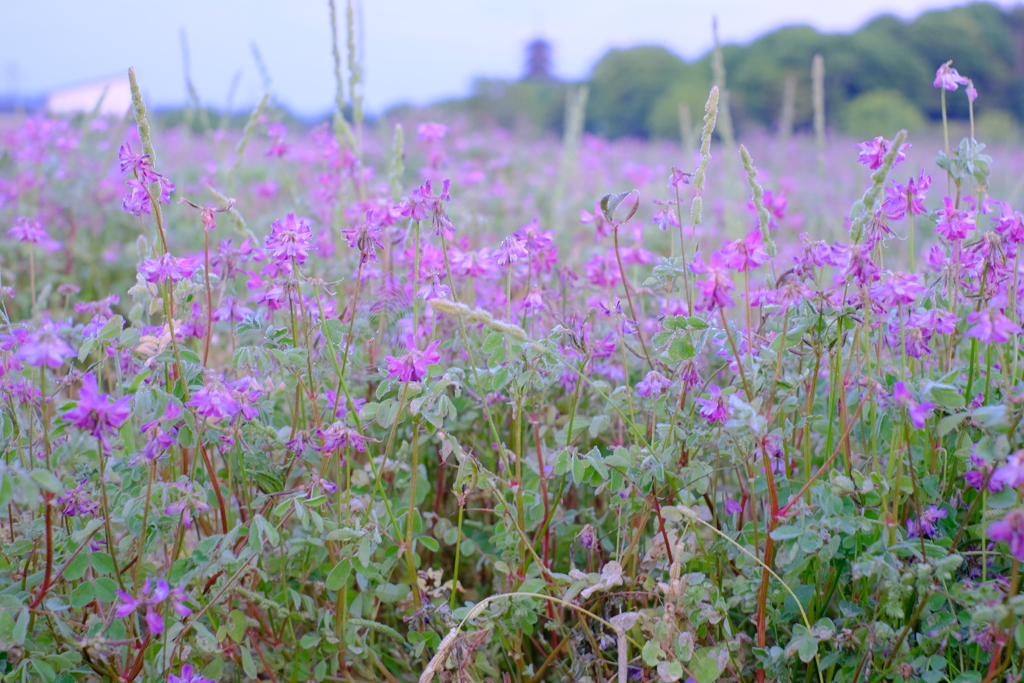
x=877, y=79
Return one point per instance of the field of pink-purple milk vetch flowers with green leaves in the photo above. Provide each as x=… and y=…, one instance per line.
x=414, y=403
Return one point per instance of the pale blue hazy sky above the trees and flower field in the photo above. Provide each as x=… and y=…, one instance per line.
x=414, y=52
